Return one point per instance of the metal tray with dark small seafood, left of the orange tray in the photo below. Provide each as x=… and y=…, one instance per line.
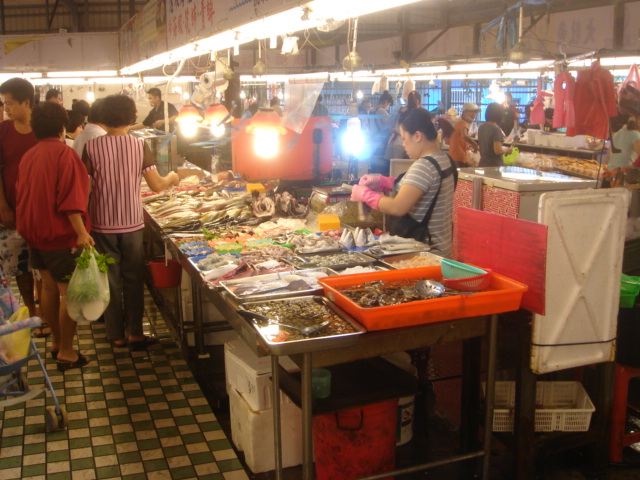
x=301, y=324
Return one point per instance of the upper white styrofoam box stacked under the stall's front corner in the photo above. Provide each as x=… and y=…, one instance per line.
x=251, y=375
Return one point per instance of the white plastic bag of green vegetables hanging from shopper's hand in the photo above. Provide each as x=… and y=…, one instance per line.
x=88, y=291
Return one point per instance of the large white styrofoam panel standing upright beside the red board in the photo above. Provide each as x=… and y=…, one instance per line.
x=584, y=261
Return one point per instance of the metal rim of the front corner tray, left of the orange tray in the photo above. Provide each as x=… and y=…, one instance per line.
x=310, y=344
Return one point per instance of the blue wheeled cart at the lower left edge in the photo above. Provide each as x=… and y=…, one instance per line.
x=14, y=387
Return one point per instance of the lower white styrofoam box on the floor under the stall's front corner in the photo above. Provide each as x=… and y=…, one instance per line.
x=252, y=433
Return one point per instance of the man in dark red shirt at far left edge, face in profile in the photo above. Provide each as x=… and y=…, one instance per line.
x=16, y=137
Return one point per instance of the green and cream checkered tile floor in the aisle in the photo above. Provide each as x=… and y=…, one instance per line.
x=132, y=415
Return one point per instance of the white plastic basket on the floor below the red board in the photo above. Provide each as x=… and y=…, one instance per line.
x=564, y=407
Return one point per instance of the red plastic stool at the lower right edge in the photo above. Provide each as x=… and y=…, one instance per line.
x=619, y=438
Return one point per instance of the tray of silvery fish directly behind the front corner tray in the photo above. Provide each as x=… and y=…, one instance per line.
x=277, y=285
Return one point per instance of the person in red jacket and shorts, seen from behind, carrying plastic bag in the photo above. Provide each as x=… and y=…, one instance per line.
x=52, y=198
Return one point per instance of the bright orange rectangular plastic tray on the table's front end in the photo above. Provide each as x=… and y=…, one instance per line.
x=503, y=295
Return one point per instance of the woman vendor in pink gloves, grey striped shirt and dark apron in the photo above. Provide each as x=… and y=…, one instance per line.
x=422, y=204
